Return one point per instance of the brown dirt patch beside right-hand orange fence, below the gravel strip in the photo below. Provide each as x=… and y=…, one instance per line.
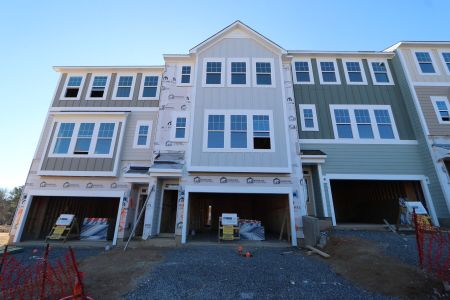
x=363, y=263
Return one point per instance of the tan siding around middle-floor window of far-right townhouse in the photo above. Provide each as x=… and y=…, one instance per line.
x=424, y=94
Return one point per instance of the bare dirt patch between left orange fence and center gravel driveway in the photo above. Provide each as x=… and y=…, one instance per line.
x=112, y=274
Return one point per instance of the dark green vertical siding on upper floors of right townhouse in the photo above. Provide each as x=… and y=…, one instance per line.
x=323, y=95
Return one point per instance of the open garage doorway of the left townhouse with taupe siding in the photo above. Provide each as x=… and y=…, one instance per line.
x=45, y=210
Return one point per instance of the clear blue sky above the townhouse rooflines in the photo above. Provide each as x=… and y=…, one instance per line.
x=36, y=35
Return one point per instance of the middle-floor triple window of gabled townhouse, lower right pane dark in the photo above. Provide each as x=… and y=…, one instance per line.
x=245, y=131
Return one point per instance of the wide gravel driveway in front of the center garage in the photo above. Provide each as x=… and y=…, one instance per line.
x=217, y=272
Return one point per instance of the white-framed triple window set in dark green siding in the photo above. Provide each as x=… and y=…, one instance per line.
x=365, y=122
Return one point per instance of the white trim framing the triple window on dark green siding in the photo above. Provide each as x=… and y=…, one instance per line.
x=373, y=122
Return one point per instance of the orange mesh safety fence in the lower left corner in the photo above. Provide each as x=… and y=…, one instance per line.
x=41, y=278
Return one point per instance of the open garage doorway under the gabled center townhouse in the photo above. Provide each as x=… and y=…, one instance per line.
x=206, y=208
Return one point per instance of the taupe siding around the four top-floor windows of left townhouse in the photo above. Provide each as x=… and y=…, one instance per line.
x=57, y=102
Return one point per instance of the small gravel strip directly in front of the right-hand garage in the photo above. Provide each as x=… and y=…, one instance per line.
x=402, y=246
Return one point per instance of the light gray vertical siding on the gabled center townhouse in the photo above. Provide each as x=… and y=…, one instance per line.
x=239, y=98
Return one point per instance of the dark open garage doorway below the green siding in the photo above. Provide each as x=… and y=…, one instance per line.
x=371, y=201
